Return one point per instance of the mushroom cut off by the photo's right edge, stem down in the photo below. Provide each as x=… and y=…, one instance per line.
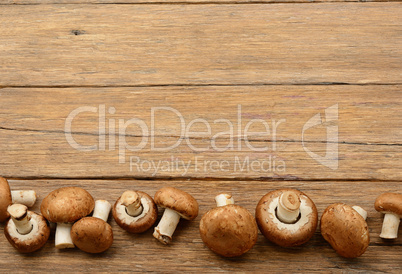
x=391, y=205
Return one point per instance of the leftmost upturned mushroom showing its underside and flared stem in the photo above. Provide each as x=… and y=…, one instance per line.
x=26, y=231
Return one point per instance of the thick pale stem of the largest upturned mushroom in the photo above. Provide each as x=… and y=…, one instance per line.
x=288, y=207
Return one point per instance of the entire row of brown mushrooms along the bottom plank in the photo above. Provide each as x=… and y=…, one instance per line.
x=286, y=217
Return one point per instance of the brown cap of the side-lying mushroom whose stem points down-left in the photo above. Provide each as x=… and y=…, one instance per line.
x=181, y=202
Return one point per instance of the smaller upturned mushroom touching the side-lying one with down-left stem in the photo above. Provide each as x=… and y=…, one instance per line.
x=135, y=211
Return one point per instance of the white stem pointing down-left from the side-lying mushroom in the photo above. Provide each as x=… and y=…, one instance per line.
x=167, y=225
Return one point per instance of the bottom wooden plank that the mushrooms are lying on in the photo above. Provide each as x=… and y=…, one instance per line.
x=188, y=253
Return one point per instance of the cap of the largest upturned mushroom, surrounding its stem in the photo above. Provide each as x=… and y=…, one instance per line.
x=283, y=234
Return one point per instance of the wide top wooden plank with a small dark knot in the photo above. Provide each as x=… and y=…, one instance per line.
x=193, y=44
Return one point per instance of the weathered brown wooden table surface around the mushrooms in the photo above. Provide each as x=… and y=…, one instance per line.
x=251, y=96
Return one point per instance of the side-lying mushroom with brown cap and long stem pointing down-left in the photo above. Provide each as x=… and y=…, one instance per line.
x=177, y=203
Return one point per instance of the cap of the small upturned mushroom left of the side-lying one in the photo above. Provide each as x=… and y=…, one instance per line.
x=140, y=223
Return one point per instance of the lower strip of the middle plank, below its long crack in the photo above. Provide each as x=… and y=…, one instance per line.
x=35, y=154
